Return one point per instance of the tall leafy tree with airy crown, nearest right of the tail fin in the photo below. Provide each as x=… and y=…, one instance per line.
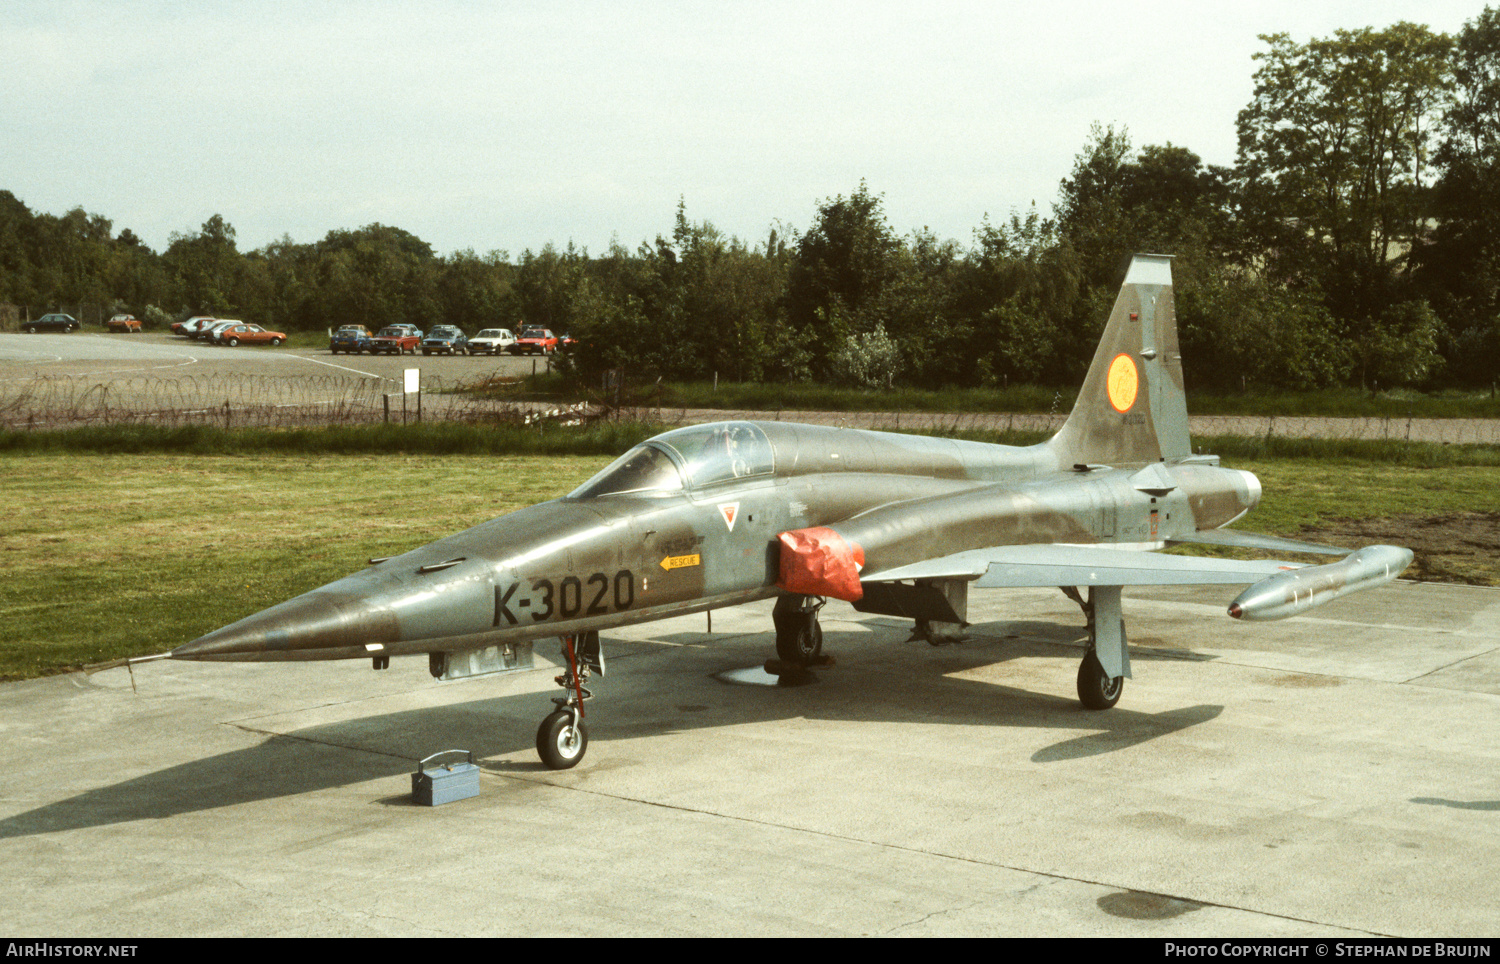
x=1333, y=158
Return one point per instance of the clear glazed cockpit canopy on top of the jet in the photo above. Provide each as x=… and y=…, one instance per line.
x=691, y=458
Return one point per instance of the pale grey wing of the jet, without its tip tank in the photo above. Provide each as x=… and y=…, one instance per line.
x=1082, y=566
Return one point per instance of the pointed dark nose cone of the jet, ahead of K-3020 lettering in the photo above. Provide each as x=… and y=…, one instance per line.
x=310, y=626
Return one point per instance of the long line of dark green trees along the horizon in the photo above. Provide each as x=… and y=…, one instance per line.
x=1355, y=242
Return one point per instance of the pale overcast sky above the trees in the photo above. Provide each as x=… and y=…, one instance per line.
x=512, y=125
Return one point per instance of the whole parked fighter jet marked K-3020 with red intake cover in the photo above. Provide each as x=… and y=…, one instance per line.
x=736, y=512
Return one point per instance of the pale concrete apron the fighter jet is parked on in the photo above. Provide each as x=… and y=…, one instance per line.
x=1333, y=774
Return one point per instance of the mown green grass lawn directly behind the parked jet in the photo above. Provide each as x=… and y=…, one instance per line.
x=110, y=555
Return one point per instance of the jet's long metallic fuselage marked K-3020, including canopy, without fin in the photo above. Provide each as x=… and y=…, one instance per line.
x=691, y=521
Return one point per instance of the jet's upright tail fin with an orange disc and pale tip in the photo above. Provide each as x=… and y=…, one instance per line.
x=1132, y=409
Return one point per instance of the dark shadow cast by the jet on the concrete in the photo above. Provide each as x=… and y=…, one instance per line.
x=878, y=684
